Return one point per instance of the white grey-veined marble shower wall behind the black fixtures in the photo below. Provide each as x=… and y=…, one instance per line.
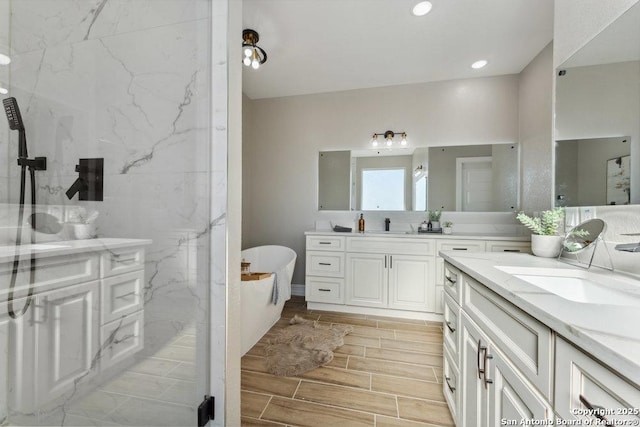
x=126, y=80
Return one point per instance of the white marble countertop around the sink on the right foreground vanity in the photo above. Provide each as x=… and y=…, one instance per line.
x=608, y=331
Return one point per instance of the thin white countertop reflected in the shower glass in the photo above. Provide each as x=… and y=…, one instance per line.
x=67, y=247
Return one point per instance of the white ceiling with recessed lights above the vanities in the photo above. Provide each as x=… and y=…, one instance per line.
x=317, y=46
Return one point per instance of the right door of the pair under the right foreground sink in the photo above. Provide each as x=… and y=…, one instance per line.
x=511, y=398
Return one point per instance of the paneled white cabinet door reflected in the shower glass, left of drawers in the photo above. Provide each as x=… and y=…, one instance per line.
x=66, y=328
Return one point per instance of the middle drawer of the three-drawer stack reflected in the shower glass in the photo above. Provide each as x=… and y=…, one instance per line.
x=121, y=295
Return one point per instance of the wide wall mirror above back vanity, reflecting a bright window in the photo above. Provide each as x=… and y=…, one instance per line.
x=477, y=178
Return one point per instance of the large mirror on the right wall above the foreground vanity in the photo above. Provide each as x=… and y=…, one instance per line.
x=597, y=151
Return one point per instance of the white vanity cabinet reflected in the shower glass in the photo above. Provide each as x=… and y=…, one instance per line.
x=82, y=320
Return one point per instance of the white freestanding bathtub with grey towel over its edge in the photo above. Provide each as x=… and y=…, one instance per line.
x=258, y=313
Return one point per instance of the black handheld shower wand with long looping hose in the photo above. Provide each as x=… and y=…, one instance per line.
x=39, y=163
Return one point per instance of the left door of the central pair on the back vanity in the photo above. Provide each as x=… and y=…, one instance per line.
x=367, y=279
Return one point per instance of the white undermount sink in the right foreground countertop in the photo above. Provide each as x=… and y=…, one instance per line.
x=579, y=285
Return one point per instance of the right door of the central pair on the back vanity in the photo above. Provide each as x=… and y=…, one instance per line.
x=411, y=282
